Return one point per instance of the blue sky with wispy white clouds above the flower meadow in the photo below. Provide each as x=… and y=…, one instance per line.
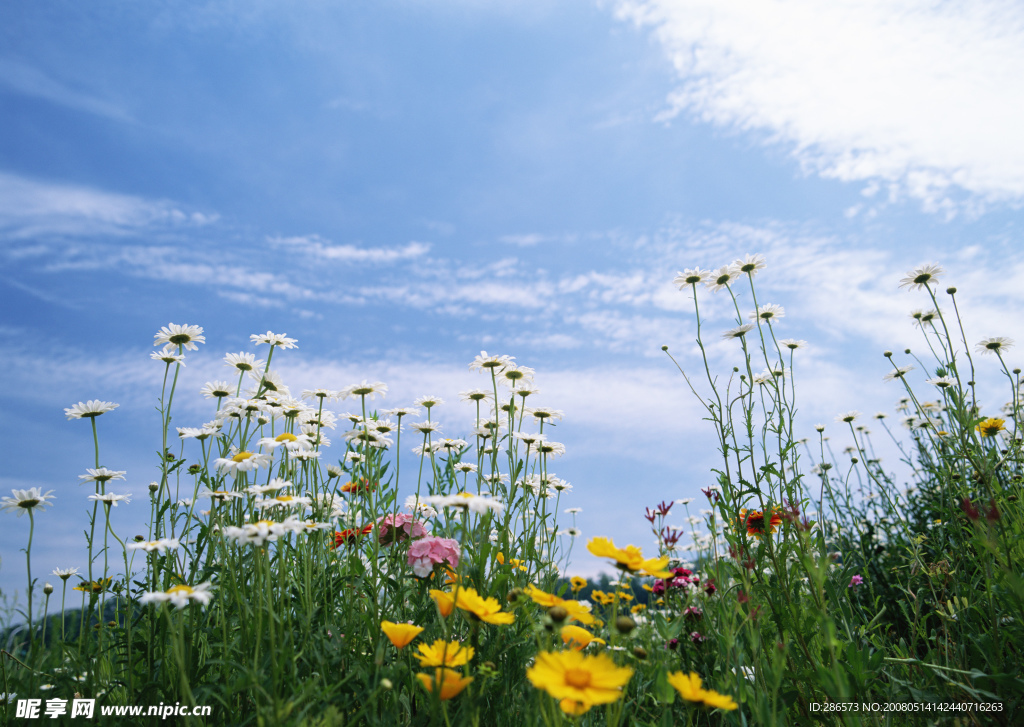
x=401, y=185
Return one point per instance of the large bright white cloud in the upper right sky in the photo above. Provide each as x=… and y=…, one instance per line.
x=919, y=96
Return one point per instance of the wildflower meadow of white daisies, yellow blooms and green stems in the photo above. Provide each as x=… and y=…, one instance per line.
x=310, y=566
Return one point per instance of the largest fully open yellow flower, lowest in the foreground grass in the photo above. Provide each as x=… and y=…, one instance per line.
x=579, y=681
